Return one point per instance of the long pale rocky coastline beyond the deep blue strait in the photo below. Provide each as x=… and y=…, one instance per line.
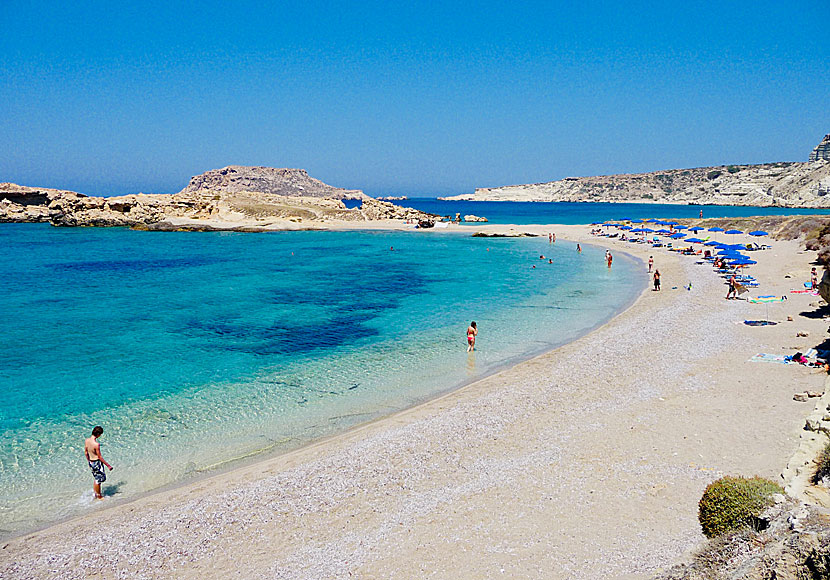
x=770, y=184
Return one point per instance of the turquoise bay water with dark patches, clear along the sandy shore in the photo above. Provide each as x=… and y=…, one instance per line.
x=193, y=350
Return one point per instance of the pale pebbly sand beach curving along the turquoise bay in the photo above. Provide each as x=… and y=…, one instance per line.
x=585, y=462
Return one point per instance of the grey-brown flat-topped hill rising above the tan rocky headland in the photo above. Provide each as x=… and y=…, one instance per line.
x=270, y=180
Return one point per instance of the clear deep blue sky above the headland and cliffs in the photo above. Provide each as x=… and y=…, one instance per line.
x=413, y=98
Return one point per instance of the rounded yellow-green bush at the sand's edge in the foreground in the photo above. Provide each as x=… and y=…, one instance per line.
x=732, y=503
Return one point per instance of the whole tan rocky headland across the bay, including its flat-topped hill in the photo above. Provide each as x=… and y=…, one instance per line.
x=236, y=197
